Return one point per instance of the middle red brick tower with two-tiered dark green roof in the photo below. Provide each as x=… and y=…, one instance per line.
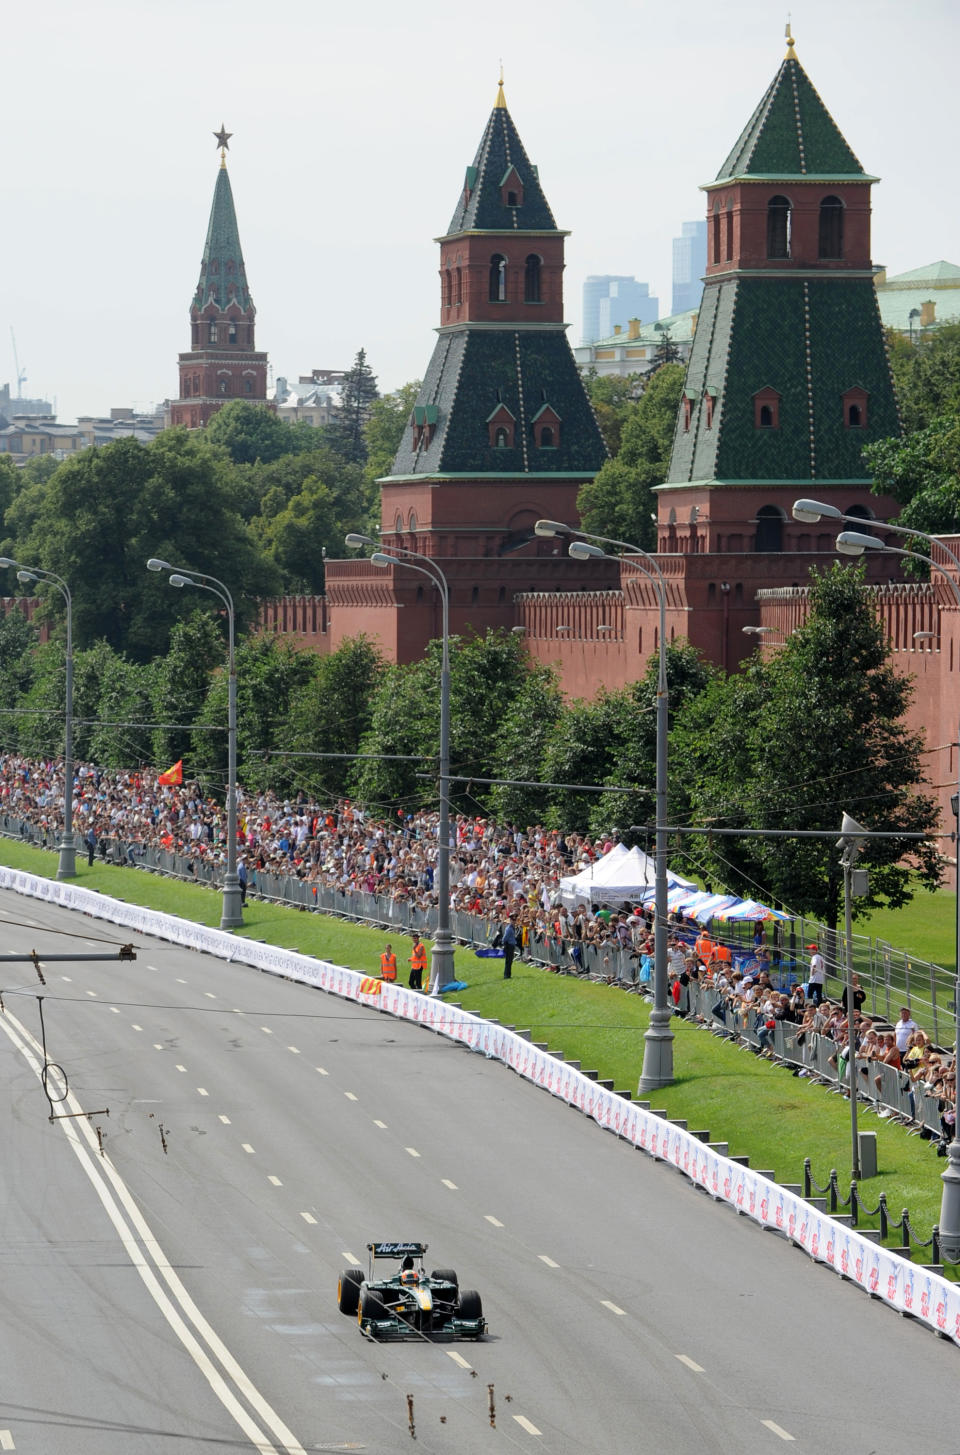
x=503, y=431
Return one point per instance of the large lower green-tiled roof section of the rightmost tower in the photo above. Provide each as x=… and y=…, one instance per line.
x=808, y=340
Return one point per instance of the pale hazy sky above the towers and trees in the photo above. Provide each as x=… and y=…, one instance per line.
x=353, y=127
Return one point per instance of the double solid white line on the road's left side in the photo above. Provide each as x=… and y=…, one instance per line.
x=152, y=1264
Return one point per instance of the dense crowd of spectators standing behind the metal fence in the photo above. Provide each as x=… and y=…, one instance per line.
x=500, y=874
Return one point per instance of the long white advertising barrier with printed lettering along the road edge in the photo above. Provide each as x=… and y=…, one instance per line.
x=884, y=1274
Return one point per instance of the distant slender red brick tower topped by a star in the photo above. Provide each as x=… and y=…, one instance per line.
x=222, y=363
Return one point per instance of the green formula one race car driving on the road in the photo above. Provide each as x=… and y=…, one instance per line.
x=412, y=1303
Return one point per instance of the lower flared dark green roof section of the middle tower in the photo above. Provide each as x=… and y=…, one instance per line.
x=472, y=375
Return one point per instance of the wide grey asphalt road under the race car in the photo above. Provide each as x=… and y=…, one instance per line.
x=184, y=1300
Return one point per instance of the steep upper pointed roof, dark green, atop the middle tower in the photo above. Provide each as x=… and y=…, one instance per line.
x=481, y=203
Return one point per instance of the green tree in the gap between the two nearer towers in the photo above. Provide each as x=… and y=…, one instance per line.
x=619, y=501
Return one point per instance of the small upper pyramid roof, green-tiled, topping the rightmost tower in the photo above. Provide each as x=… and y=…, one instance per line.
x=791, y=135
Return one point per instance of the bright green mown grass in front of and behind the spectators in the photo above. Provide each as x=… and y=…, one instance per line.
x=760, y=1109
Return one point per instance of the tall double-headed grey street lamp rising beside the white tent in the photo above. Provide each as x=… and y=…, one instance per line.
x=658, y=1043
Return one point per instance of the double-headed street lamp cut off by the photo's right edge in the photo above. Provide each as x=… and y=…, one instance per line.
x=856, y=543
